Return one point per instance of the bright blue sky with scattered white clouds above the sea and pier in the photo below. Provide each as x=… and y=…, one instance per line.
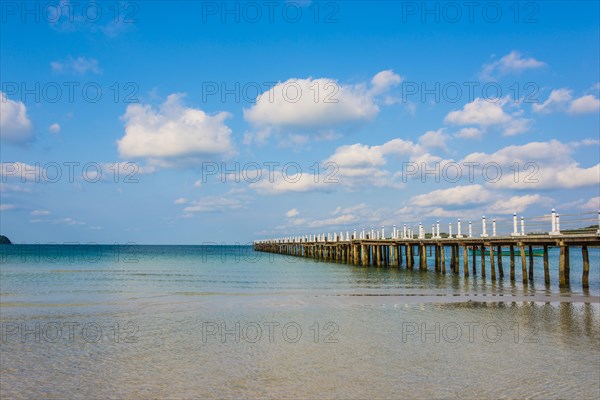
x=191, y=122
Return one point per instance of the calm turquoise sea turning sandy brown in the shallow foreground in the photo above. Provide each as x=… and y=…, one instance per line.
x=89, y=321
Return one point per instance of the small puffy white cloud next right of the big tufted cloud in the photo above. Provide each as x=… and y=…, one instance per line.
x=487, y=113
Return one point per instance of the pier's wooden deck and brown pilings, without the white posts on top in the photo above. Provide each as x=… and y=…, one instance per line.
x=401, y=252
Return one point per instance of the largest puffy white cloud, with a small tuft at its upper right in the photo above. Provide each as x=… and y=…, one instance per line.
x=316, y=105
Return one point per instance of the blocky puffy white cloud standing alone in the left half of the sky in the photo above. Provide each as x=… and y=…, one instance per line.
x=173, y=132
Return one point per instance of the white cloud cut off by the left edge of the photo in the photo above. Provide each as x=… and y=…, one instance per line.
x=15, y=125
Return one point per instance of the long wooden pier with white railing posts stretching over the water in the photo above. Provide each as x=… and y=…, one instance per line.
x=405, y=249
